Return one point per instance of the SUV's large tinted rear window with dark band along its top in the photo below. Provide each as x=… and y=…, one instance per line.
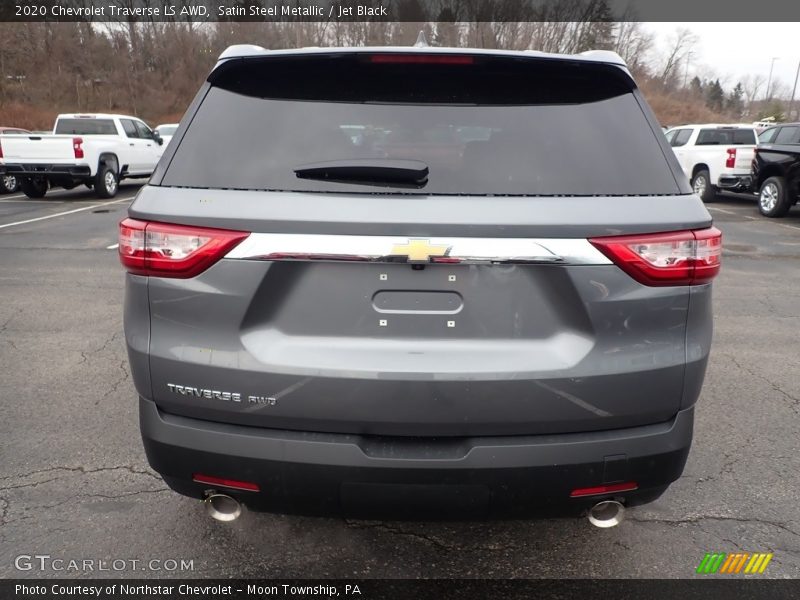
x=487, y=126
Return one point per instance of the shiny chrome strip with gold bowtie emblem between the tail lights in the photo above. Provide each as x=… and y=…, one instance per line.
x=289, y=246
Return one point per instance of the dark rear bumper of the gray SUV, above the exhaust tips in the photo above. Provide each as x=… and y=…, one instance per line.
x=320, y=473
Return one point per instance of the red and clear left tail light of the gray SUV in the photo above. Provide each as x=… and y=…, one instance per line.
x=178, y=251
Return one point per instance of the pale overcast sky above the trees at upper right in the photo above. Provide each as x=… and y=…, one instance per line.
x=733, y=50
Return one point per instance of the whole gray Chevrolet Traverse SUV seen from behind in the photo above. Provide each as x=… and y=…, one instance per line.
x=395, y=277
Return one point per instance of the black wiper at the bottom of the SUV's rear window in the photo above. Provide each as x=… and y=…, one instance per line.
x=368, y=171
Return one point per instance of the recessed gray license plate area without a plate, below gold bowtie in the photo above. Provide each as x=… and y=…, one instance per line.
x=346, y=300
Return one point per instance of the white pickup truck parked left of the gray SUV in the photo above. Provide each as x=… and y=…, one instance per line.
x=96, y=150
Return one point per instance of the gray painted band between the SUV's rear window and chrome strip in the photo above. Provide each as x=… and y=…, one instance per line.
x=420, y=215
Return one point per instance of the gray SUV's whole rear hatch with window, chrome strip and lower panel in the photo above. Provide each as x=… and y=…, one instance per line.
x=470, y=303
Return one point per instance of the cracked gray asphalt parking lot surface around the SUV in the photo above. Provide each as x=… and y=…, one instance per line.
x=75, y=485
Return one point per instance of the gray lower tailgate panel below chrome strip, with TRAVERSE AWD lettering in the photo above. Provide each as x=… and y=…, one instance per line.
x=535, y=349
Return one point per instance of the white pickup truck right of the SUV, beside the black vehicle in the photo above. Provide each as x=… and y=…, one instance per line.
x=714, y=157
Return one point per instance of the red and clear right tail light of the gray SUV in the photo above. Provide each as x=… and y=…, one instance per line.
x=661, y=259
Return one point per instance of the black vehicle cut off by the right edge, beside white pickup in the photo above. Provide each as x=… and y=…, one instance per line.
x=776, y=169
